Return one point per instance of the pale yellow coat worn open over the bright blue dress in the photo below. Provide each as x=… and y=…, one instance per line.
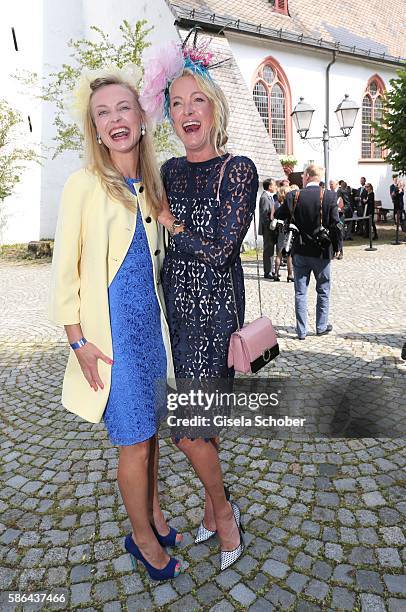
x=92, y=238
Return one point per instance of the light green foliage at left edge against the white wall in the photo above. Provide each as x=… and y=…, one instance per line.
x=13, y=157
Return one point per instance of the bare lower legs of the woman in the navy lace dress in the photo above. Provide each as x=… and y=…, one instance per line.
x=205, y=460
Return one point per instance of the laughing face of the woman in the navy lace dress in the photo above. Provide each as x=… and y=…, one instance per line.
x=192, y=116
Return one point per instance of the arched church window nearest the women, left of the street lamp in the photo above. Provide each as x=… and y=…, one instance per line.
x=272, y=98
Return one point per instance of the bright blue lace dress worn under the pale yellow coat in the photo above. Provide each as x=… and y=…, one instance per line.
x=139, y=369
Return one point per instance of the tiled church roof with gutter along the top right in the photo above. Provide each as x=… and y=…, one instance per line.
x=370, y=28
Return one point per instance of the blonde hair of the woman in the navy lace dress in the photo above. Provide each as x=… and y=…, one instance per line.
x=221, y=111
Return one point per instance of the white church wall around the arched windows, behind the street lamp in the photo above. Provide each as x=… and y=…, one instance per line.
x=305, y=71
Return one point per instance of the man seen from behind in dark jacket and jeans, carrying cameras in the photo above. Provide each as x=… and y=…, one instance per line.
x=308, y=256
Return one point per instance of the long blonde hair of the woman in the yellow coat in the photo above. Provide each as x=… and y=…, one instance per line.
x=99, y=160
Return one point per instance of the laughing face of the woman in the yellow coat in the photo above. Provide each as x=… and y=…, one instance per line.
x=117, y=117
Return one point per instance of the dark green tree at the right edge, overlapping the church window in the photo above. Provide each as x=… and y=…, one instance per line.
x=390, y=132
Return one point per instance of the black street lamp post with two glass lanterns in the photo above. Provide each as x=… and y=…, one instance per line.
x=346, y=113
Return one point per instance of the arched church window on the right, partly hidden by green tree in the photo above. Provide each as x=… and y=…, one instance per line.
x=371, y=111
